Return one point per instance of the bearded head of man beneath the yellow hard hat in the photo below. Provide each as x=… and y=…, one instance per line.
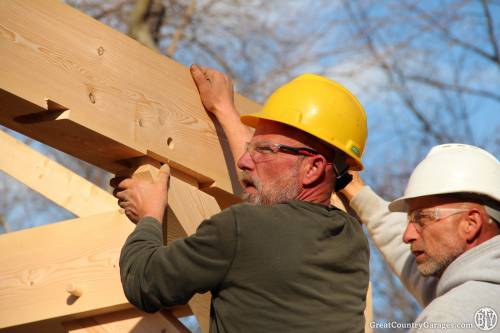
x=273, y=173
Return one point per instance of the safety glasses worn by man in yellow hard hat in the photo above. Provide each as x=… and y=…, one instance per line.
x=264, y=151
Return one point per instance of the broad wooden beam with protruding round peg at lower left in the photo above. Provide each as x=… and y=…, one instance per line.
x=37, y=264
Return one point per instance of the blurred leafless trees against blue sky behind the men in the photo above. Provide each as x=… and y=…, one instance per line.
x=426, y=72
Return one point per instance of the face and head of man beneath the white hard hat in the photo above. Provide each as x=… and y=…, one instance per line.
x=442, y=227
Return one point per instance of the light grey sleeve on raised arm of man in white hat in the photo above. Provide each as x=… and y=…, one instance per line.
x=386, y=230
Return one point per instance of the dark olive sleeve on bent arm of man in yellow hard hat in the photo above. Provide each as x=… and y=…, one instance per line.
x=156, y=276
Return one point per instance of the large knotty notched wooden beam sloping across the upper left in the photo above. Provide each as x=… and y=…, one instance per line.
x=73, y=83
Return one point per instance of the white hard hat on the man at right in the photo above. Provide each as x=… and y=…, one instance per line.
x=454, y=168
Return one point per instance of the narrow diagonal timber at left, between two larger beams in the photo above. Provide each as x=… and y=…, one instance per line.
x=52, y=180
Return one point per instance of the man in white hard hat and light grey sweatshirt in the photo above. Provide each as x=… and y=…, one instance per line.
x=442, y=237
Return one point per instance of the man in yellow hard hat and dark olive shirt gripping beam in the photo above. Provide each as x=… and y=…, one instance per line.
x=285, y=261
